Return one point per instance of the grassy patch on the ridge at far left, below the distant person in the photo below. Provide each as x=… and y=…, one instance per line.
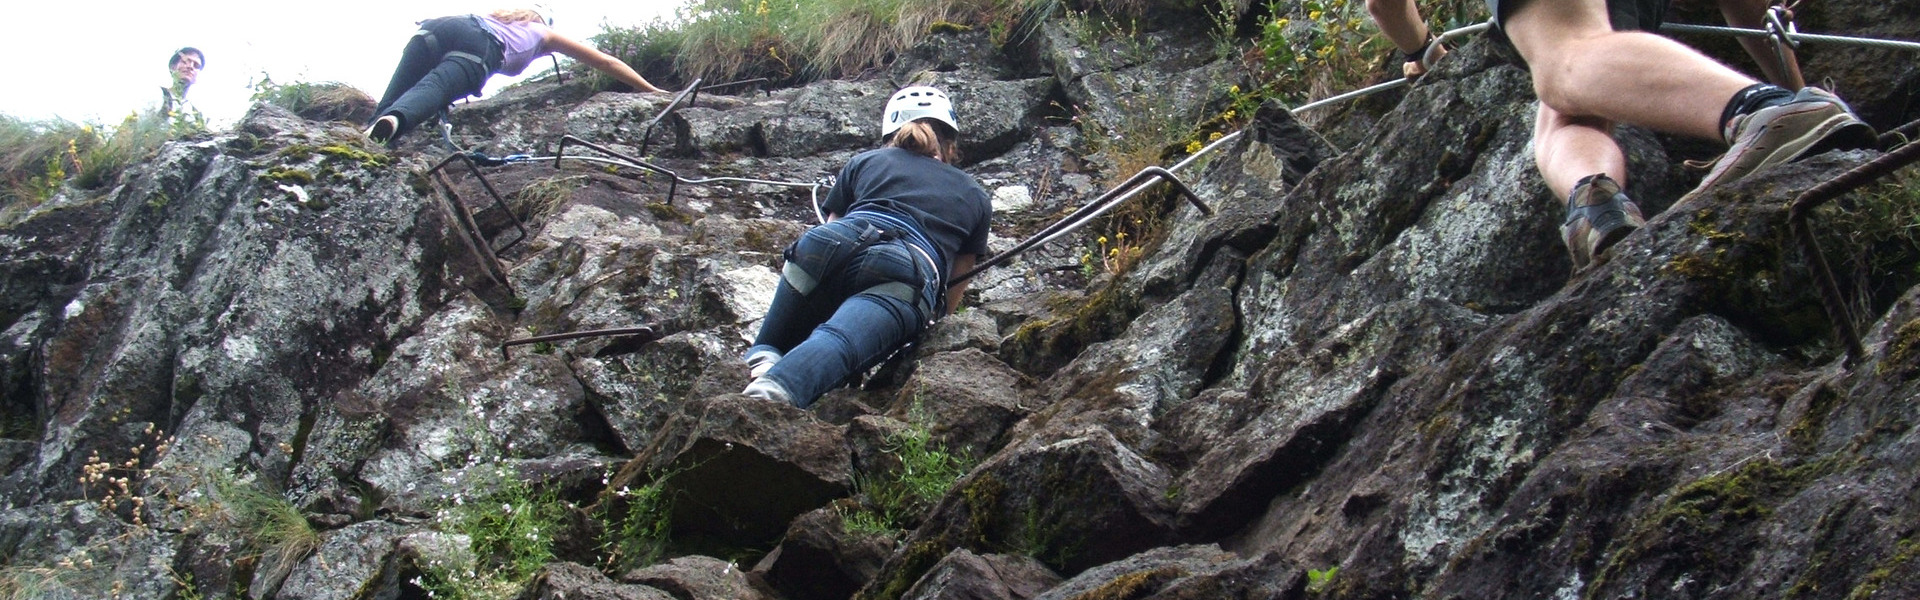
x=37, y=159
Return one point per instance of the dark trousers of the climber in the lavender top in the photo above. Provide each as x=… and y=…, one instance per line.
x=450, y=61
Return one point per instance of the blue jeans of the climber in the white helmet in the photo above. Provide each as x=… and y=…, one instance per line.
x=850, y=320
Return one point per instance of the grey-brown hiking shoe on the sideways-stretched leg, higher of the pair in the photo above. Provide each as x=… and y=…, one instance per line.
x=1810, y=124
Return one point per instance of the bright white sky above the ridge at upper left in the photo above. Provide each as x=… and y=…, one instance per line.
x=97, y=62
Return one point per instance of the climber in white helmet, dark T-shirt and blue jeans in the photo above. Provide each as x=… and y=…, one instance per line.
x=901, y=222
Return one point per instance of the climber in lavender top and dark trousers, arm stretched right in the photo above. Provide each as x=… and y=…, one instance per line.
x=452, y=59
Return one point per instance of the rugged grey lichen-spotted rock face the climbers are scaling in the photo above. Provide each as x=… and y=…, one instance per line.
x=276, y=364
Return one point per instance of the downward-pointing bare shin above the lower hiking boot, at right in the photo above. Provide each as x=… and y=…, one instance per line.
x=1570, y=149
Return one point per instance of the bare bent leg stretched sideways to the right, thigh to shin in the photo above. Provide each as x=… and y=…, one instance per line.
x=1585, y=68
